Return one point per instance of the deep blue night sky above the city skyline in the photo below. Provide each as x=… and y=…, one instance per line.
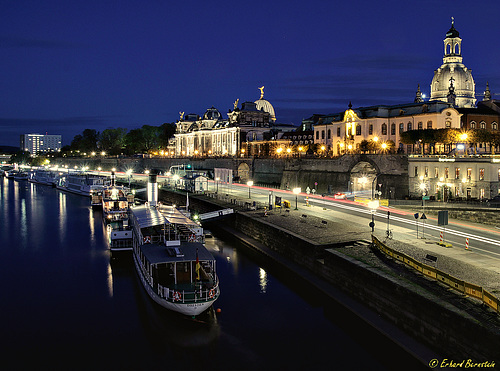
x=72, y=65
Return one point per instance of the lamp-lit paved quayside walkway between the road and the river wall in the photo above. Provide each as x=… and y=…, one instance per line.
x=335, y=227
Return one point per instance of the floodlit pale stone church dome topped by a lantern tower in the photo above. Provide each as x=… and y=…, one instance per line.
x=453, y=82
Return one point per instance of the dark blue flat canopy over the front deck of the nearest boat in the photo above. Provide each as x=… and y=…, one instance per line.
x=156, y=254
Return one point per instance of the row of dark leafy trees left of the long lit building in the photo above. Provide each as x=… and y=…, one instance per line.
x=116, y=141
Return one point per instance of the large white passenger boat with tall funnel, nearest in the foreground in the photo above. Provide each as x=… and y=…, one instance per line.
x=177, y=272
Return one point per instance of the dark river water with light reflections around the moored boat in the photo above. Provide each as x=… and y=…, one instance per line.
x=67, y=306
